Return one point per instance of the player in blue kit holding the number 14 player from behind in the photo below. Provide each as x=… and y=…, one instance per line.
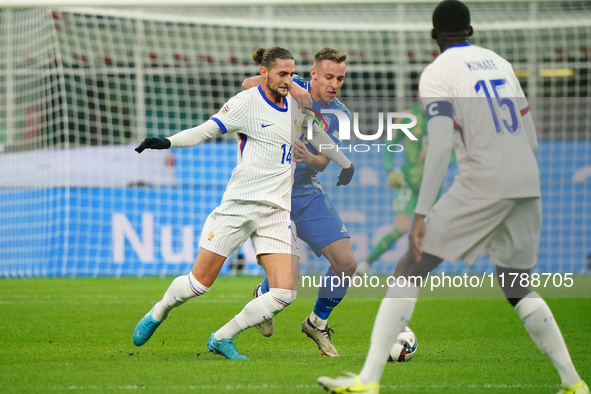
x=317, y=221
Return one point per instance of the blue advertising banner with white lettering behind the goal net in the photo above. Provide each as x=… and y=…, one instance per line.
x=154, y=230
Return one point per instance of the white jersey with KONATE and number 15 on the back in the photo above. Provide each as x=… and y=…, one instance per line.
x=494, y=156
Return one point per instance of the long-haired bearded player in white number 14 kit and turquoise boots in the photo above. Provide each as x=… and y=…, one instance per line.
x=256, y=202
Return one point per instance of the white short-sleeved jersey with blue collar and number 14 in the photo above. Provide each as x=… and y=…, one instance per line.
x=264, y=131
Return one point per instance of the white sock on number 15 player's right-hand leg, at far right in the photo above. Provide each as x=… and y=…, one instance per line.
x=543, y=330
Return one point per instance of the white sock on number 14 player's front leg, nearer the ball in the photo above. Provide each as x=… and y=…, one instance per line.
x=257, y=311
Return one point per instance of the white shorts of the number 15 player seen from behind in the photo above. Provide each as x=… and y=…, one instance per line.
x=507, y=231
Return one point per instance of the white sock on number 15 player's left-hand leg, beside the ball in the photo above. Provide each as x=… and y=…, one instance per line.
x=394, y=313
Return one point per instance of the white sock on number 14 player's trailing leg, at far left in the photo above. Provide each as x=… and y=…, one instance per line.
x=180, y=290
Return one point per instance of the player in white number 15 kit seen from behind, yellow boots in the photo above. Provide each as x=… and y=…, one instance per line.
x=475, y=105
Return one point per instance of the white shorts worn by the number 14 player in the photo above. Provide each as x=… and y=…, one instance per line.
x=230, y=225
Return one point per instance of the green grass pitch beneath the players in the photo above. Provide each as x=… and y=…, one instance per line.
x=73, y=335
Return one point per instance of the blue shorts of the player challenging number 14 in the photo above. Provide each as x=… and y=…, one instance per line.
x=317, y=221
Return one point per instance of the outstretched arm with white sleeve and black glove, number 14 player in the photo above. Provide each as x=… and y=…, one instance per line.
x=184, y=139
